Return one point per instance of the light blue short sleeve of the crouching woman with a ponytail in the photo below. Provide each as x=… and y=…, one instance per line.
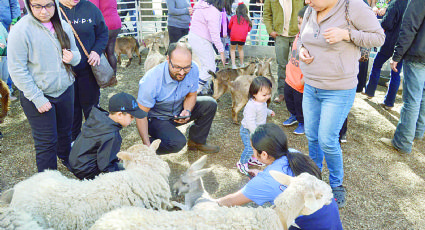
x=258, y=190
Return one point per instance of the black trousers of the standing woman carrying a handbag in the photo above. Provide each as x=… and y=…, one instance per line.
x=87, y=93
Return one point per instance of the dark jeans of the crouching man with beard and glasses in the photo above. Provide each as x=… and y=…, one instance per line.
x=172, y=140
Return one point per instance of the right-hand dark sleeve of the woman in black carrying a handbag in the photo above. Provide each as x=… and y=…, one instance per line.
x=101, y=32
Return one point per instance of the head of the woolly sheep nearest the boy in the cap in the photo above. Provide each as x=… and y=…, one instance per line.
x=138, y=155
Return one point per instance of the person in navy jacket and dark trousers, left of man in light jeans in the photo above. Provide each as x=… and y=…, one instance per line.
x=391, y=24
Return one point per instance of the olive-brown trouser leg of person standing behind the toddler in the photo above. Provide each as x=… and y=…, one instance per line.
x=282, y=47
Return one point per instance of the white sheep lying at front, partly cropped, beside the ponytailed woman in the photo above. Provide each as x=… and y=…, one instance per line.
x=304, y=195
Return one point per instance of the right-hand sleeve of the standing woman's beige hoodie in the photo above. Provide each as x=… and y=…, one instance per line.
x=368, y=32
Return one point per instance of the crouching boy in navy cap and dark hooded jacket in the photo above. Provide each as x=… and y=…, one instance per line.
x=95, y=149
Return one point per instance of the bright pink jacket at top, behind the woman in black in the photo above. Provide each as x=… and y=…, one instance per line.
x=109, y=12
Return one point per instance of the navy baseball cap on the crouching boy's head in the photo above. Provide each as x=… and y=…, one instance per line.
x=124, y=102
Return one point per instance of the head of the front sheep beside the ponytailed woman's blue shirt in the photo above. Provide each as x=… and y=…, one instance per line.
x=304, y=195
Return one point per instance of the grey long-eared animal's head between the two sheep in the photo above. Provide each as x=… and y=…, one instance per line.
x=193, y=173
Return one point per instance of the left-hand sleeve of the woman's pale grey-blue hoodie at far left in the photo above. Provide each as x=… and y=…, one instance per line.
x=18, y=68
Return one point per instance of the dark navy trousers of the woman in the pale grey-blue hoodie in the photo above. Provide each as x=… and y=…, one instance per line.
x=51, y=130
